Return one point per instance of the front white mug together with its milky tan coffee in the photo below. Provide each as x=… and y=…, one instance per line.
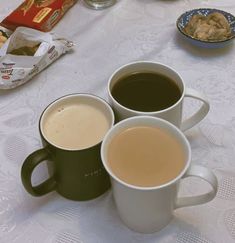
x=148, y=209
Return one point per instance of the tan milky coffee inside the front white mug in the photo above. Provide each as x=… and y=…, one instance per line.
x=145, y=156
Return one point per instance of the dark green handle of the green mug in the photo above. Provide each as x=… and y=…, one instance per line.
x=26, y=173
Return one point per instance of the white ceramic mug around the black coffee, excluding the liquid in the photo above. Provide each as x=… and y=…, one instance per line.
x=173, y=113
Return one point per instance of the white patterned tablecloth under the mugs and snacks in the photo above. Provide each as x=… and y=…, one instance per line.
x=104, y=40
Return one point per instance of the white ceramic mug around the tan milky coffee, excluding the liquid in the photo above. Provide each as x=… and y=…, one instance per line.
x=149, y=209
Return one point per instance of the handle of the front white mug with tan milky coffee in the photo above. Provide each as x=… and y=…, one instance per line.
x=206, y=175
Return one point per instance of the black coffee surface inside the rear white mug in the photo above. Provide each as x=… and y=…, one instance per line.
x=146, y=91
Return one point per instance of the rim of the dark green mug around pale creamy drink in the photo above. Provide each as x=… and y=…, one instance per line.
x=96, y=97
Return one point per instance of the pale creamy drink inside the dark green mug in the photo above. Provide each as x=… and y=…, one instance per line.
x=76, y=125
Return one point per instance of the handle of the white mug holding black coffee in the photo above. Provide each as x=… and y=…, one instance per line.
x=200, y=114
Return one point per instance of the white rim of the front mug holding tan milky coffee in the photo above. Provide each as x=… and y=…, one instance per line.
x=145, y=188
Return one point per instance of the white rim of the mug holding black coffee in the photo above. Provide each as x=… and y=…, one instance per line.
x=145, y=112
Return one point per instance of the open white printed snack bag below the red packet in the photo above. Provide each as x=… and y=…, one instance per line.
x=26, y=53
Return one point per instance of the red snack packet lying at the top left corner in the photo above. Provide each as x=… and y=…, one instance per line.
x=37, y=14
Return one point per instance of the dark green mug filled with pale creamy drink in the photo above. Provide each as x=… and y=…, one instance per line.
x=72, y=129
